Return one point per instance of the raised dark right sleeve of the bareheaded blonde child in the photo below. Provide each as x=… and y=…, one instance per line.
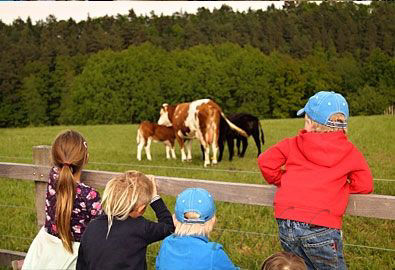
x=156, y=231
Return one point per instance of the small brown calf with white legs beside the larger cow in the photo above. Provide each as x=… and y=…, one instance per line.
x=148, y=132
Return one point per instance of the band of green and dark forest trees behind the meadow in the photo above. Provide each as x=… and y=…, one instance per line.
x=120, y=70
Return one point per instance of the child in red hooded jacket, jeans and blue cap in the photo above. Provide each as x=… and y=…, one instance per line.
x=315, y=172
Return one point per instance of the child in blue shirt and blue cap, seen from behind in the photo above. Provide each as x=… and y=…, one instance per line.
x=189, y=248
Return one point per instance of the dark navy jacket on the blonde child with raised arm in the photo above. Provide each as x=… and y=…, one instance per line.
x=126, y=245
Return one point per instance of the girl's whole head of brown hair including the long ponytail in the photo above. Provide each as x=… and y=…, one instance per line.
x=70, y=154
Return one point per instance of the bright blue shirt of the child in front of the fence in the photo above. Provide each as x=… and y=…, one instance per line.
x=192, y=253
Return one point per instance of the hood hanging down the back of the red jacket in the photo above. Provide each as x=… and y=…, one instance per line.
x=323, y=148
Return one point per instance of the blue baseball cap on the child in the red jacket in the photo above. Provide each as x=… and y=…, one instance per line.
x=323, y=105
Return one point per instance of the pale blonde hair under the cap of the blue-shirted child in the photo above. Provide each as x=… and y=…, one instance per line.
x=202, y=229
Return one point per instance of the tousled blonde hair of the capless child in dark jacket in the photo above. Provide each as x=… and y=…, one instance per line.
x=124, y=193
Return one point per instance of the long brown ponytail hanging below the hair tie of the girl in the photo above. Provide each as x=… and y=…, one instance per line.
x=65, y=193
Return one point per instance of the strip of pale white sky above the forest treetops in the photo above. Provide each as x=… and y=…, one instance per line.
x=79, y=10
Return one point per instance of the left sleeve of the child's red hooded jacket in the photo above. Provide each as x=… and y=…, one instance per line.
x=271, y=161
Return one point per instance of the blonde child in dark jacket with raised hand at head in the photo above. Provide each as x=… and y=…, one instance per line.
x=119, y=239
